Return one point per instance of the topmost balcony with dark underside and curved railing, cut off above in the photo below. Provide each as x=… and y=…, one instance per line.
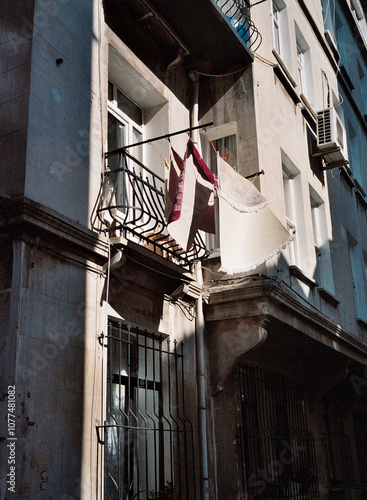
x=157, y=30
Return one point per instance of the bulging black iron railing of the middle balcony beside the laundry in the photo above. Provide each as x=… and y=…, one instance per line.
x=133, y=202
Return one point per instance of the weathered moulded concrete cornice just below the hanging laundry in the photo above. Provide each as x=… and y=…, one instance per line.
x=261, y=296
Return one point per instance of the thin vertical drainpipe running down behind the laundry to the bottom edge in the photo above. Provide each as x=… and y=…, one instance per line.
x=200, y=357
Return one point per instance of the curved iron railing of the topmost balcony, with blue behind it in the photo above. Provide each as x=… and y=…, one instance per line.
x=237, y=13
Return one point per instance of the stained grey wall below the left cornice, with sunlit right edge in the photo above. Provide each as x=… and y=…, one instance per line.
x=54, y=360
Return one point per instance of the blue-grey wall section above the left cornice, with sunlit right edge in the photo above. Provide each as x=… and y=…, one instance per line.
x=64, y=148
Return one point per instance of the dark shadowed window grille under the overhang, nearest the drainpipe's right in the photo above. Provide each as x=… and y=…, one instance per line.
x=276, y=454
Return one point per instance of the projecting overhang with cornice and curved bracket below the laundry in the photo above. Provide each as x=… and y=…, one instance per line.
x=255, y=317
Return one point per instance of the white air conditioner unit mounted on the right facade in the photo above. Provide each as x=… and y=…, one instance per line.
x=331, y=140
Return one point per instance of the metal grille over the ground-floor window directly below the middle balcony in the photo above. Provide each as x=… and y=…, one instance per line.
x=149, y=444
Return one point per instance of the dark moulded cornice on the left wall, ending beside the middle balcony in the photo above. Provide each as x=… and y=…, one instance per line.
x=22, y=215
